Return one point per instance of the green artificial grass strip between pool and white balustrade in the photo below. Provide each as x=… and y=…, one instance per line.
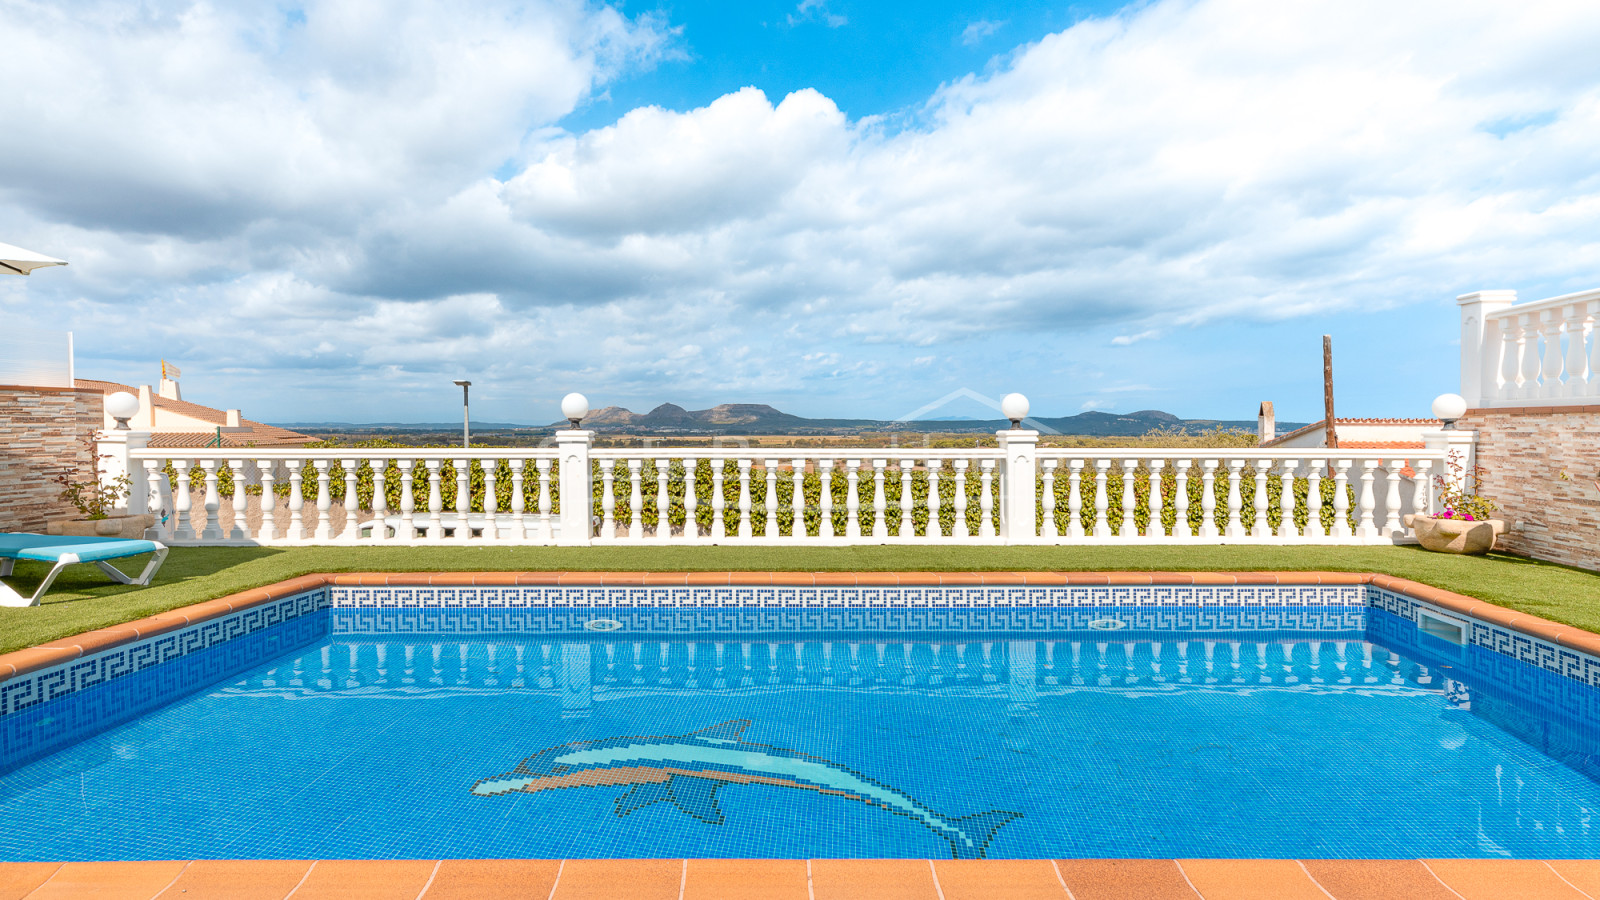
x=82, y=600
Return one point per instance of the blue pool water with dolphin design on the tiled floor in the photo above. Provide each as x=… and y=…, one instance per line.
x=1351, y=736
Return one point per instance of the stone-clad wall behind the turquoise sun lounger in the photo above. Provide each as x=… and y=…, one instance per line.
x=42, y=433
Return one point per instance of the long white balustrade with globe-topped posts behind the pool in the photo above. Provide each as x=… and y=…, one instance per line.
x=1015, y=494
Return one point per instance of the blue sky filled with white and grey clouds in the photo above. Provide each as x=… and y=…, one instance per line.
x=334, y=211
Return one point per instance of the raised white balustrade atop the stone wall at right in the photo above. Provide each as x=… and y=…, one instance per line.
x=1530, y=355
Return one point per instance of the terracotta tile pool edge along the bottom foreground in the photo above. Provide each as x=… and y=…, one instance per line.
x=807, y=880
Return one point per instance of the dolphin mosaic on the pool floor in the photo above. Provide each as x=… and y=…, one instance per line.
x=687, y=771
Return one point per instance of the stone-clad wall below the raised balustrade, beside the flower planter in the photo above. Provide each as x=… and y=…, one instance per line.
x=1524, y=456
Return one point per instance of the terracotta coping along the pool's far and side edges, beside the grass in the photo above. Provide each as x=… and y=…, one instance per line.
x=68, y=649
